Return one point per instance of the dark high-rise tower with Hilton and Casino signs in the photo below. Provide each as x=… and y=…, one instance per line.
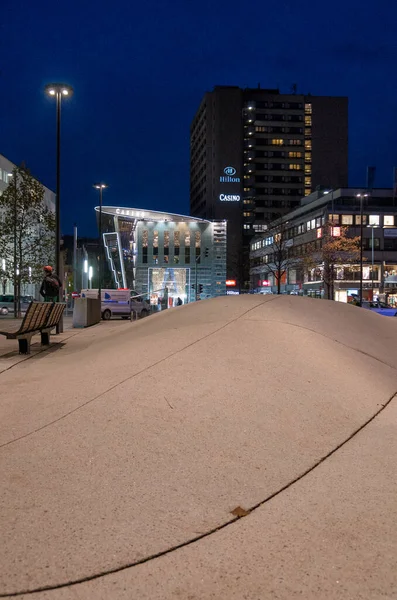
x=254, y=153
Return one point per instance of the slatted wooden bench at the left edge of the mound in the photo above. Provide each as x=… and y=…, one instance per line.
x=40, y=317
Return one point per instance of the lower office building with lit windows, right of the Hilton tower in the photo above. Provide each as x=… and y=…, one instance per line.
x=304, y=232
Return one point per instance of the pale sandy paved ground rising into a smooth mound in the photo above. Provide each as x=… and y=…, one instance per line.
x=243, y=447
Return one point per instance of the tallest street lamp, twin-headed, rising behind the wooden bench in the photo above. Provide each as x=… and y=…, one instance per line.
x=58, y=91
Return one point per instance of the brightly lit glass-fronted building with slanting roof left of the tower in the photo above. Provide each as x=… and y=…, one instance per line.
x=151, y=251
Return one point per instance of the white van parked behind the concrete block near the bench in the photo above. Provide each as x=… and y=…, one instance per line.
x=119, y=303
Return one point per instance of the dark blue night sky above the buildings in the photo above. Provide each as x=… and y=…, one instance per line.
x=140, y=69
